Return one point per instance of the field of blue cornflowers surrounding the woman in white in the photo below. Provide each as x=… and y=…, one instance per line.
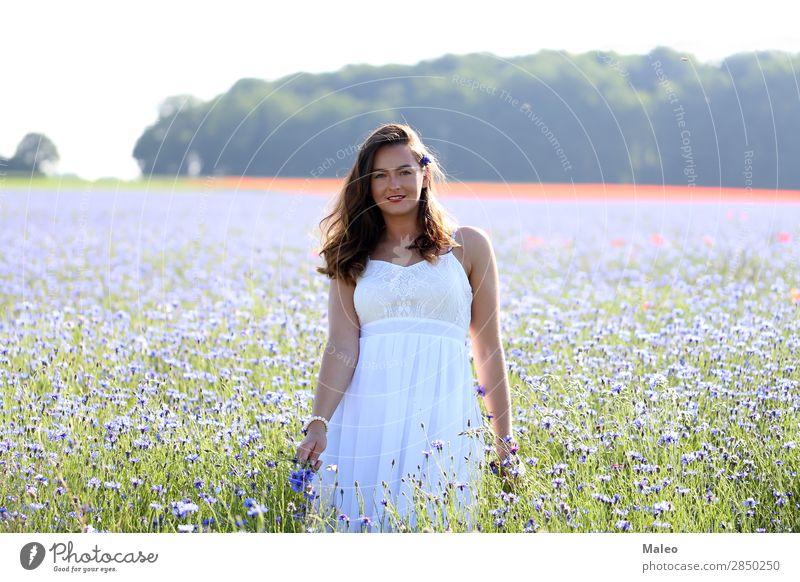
x=159, y=353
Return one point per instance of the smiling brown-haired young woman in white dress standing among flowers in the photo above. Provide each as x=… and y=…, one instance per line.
x=395, y=410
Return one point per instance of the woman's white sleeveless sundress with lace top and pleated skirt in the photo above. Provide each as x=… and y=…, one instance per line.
x=410, y=417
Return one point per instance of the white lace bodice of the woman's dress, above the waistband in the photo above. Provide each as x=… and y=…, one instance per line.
x=426, y=290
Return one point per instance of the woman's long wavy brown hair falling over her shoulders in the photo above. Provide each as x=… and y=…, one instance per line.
x=355, y=225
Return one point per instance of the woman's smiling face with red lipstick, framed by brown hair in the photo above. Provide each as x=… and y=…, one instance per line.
x=397, y=180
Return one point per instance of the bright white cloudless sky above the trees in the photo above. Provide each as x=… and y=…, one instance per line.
x=90, y=75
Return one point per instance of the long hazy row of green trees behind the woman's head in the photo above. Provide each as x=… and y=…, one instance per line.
x=551, y=117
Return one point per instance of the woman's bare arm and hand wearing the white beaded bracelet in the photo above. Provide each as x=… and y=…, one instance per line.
x=336, y=369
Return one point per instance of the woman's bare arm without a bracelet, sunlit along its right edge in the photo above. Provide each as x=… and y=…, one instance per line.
x=487, y=347
